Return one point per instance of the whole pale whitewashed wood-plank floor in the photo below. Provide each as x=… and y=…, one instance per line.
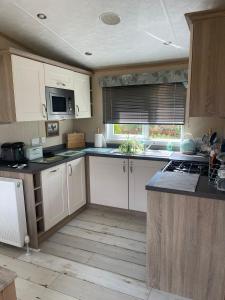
x=100, y=255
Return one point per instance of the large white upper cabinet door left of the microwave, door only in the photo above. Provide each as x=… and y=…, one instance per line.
x=29, y=89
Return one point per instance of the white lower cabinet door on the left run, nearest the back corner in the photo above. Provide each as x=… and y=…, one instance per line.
x=76, y=184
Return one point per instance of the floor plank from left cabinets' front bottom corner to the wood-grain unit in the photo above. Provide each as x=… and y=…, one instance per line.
x=96, y=260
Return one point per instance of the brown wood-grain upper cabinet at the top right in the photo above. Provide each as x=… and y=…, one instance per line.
x=207, y=64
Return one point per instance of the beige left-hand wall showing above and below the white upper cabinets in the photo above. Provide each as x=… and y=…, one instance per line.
x=25, y=131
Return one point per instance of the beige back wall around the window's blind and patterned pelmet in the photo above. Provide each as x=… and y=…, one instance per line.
x=197, y=126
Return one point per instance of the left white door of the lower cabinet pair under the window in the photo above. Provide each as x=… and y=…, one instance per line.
x=109, y=181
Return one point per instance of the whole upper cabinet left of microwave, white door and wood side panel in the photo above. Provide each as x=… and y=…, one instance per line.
x=22, y=92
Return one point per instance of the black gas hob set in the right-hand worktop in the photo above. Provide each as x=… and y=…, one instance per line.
x=188, y=167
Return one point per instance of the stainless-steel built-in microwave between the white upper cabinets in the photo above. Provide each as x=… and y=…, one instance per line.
x=60, y=103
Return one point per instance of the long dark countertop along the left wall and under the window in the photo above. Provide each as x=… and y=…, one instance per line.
x=33, y=168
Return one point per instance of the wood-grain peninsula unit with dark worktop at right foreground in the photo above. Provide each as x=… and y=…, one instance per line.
x=186, y=240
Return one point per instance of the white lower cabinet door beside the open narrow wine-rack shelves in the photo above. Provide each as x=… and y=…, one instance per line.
x=54, y=192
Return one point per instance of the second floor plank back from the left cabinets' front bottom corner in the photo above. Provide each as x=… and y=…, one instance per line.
x=100, y=248
